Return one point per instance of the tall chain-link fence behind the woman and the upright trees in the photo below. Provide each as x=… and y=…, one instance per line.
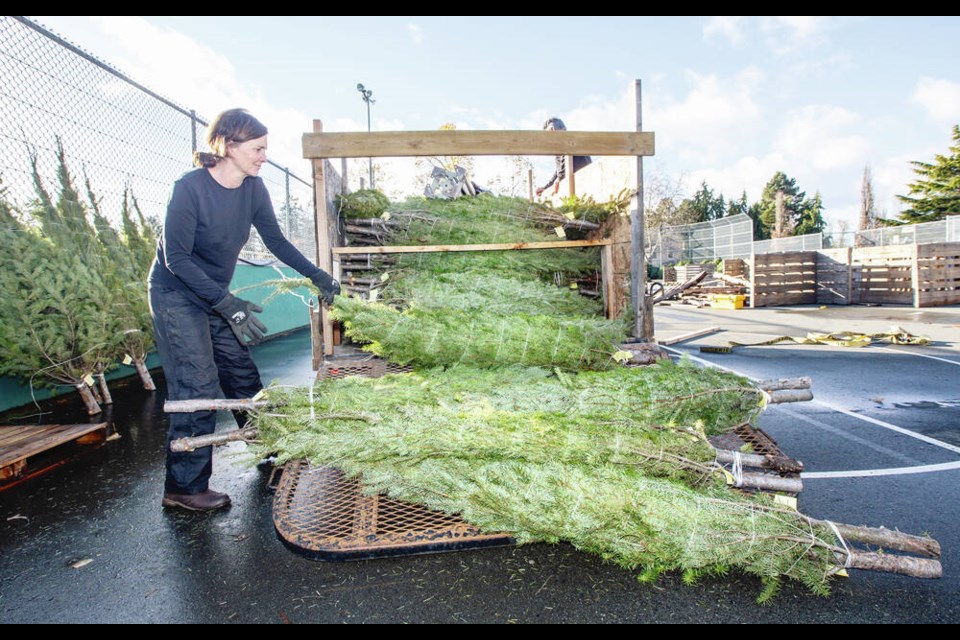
x=114, y=132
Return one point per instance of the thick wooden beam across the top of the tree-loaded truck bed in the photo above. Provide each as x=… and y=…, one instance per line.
x=380, y=144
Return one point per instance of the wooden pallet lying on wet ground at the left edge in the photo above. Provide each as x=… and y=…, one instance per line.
x=29, y=450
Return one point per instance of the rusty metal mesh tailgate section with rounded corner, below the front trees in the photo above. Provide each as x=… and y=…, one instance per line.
x=320, y=513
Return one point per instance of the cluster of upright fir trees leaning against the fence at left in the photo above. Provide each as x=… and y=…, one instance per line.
x=74, y=291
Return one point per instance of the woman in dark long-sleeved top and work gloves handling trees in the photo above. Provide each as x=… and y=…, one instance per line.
x=201, y=328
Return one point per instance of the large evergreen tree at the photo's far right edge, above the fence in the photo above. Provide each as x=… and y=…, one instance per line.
x=936, y=192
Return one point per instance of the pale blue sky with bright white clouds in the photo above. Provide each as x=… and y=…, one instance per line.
x=731, y=100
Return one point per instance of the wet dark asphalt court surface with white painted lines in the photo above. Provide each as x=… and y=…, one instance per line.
x=88, y=542
